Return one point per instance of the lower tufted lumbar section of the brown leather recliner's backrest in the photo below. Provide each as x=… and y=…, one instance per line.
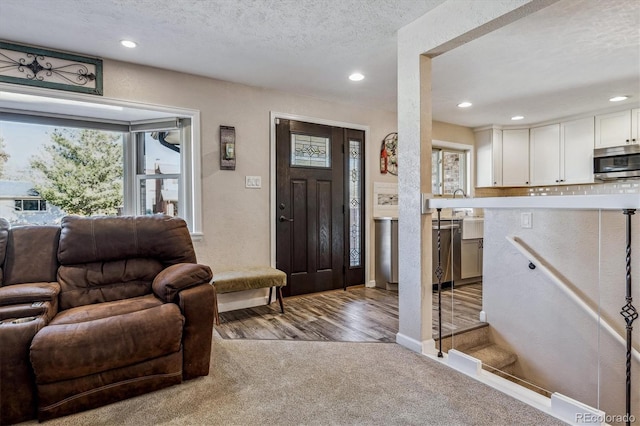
x=99, y=282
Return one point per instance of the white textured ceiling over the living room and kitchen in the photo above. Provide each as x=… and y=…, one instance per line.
x=565, y=59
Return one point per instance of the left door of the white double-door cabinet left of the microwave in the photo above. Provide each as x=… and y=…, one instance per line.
x=544, y=155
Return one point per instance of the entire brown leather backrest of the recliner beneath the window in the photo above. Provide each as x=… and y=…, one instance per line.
x=111, y=258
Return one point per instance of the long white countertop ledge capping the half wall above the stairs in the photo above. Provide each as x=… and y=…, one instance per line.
x=568, y=202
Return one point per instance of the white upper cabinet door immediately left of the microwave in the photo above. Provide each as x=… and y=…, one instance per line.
x=576, y=153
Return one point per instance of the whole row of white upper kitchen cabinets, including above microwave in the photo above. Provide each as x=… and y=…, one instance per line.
x=554, y=154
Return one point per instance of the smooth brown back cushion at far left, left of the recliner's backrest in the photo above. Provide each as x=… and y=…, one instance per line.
x=31, y=254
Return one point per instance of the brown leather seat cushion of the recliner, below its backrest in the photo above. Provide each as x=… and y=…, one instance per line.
x=107, y=309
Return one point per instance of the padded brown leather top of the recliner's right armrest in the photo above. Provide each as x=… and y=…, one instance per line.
x=168, y=283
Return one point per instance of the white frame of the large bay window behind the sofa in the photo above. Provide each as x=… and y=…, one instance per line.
x=190, y=181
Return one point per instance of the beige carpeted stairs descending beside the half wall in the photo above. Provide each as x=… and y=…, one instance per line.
x=476, y=342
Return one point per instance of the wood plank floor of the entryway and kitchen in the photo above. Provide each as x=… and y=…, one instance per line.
x=359, y=314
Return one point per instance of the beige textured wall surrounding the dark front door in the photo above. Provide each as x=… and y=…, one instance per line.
x=236, y=220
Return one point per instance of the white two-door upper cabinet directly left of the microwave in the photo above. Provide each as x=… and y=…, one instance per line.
x=562, y=153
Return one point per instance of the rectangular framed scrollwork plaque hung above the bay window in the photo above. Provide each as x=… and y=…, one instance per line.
x=46, y=68
